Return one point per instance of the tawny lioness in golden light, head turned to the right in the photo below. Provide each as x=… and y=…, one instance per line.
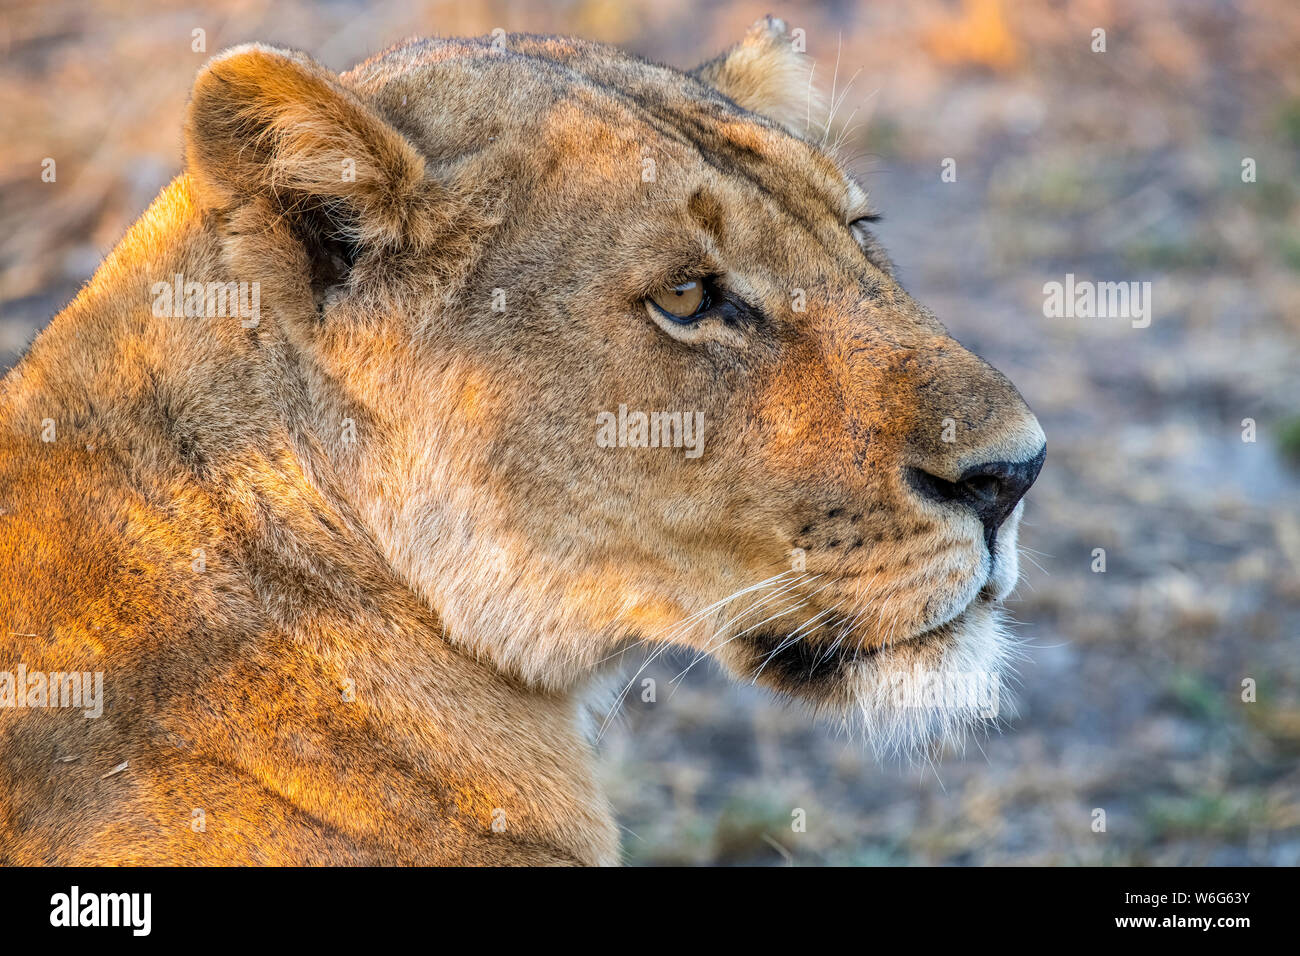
x=423, y=393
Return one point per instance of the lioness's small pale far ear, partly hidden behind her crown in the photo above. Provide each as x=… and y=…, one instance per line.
x=768, y=73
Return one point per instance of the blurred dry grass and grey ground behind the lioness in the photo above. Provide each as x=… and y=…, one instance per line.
x=1117, y=166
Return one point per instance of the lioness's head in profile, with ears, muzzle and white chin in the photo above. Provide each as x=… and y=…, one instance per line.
x=630, y=369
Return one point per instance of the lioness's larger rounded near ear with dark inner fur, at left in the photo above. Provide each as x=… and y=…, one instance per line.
x=275, y=124
